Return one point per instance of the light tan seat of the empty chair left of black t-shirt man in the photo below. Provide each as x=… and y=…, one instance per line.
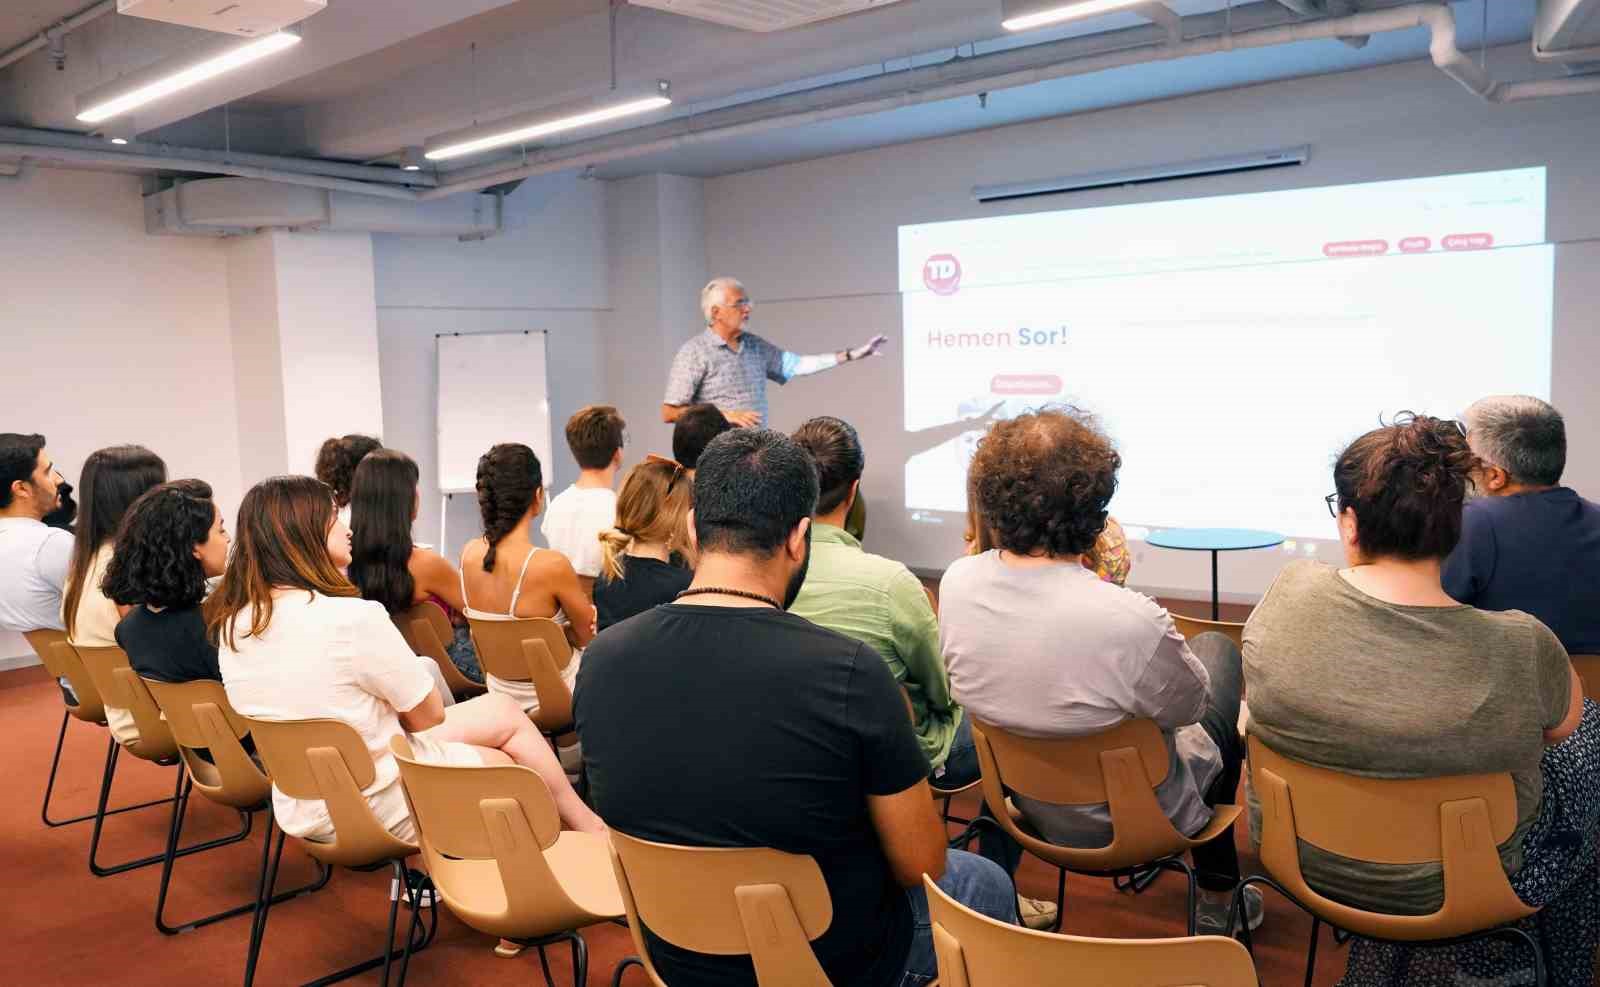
x=582, y=865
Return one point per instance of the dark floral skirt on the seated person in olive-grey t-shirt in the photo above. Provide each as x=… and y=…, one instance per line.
x=1561, y=876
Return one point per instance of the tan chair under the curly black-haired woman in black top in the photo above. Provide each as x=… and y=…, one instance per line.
x=202, y=721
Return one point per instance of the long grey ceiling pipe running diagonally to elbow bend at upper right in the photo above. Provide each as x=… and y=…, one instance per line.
x=951, y=81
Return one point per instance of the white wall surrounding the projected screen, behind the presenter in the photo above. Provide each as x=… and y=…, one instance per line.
x=817, y=241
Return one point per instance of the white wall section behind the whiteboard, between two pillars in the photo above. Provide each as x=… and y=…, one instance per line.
x=548, y=271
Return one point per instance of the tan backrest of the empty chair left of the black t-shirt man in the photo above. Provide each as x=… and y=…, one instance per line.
x=502, y=813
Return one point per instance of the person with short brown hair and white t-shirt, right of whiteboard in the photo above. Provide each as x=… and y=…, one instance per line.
x=583, y=511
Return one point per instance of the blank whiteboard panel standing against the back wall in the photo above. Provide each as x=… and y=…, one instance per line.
x=492, y=390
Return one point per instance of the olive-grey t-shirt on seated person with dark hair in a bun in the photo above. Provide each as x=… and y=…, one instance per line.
x=1343, y=681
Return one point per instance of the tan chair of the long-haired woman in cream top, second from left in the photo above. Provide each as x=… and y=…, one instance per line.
x=118, y=685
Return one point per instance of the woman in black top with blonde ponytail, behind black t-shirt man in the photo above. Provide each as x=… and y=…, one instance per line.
x=636, y=554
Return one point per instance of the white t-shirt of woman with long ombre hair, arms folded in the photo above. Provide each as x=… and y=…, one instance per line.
x=335, y=658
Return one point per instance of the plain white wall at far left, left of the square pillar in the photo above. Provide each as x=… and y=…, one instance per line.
x=113, y=337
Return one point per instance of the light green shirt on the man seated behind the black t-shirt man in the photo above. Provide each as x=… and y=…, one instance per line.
x=881, y=604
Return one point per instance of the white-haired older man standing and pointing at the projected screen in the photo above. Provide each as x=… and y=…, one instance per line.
x=729, y=367
